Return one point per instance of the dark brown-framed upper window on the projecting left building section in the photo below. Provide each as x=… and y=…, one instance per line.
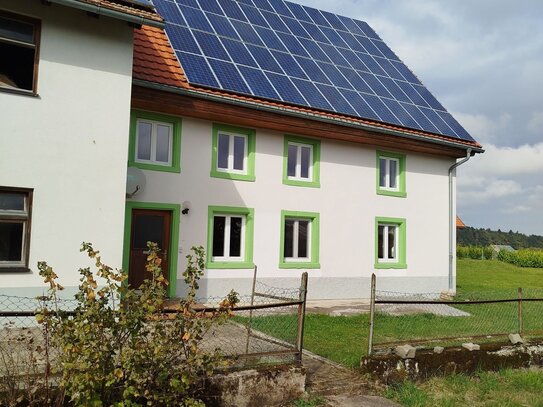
x=19, y=41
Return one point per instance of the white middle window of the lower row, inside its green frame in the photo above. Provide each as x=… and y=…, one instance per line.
x=297, y=245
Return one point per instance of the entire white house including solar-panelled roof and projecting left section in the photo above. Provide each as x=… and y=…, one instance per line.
x=272, y=134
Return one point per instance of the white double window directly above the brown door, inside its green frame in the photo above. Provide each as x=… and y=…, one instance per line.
x=154, y=142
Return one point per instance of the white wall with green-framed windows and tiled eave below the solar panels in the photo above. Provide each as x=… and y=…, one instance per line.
x=261, y=184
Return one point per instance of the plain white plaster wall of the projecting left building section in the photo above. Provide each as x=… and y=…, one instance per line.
x=70, y=143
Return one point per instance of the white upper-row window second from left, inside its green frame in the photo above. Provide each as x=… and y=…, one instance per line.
x=232, y=153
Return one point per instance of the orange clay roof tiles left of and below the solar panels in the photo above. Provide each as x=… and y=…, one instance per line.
x=156, y=63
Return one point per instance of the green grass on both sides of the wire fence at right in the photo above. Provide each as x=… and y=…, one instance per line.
x=344, y=339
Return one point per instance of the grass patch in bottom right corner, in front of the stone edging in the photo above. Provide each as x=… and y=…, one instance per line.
x=504, y=388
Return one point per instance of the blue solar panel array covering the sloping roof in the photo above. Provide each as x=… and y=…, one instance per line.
x=287, y=52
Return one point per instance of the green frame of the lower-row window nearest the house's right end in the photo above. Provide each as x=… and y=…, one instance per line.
x=400, y=243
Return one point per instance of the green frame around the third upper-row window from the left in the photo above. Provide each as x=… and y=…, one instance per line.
x=315, y=146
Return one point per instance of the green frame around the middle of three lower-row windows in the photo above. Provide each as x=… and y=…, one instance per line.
x=313, y=245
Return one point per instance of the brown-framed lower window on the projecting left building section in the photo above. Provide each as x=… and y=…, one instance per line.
x=15, y=207
